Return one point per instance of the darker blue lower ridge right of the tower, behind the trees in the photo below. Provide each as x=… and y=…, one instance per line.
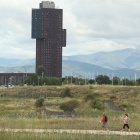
x=90, y=70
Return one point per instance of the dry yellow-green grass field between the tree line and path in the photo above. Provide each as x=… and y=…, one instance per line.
x=18, y=110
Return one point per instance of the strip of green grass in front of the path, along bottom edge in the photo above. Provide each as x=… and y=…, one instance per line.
x=63, y=136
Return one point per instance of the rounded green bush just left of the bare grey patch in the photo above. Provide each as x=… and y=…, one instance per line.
x=96, y=104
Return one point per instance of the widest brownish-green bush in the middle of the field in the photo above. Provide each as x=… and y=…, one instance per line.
x=69, y=106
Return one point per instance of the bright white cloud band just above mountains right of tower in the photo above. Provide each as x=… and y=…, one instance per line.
x=96, y=46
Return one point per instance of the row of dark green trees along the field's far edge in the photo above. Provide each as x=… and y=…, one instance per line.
x=40, y=80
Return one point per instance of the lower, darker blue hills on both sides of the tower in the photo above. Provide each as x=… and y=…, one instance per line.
x=79, y=69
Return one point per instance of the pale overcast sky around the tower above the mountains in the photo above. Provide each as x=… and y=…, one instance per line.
x=92, y=26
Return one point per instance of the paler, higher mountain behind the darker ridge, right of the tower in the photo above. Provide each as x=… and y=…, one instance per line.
x=127, y=58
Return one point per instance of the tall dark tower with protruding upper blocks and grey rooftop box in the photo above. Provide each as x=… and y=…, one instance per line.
x=47, y=28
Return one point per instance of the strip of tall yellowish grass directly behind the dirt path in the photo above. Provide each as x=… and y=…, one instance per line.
x=65, y=123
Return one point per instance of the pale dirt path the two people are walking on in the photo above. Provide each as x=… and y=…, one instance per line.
x=73, y=131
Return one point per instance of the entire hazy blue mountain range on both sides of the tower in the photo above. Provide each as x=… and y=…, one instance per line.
x=122, y=63
